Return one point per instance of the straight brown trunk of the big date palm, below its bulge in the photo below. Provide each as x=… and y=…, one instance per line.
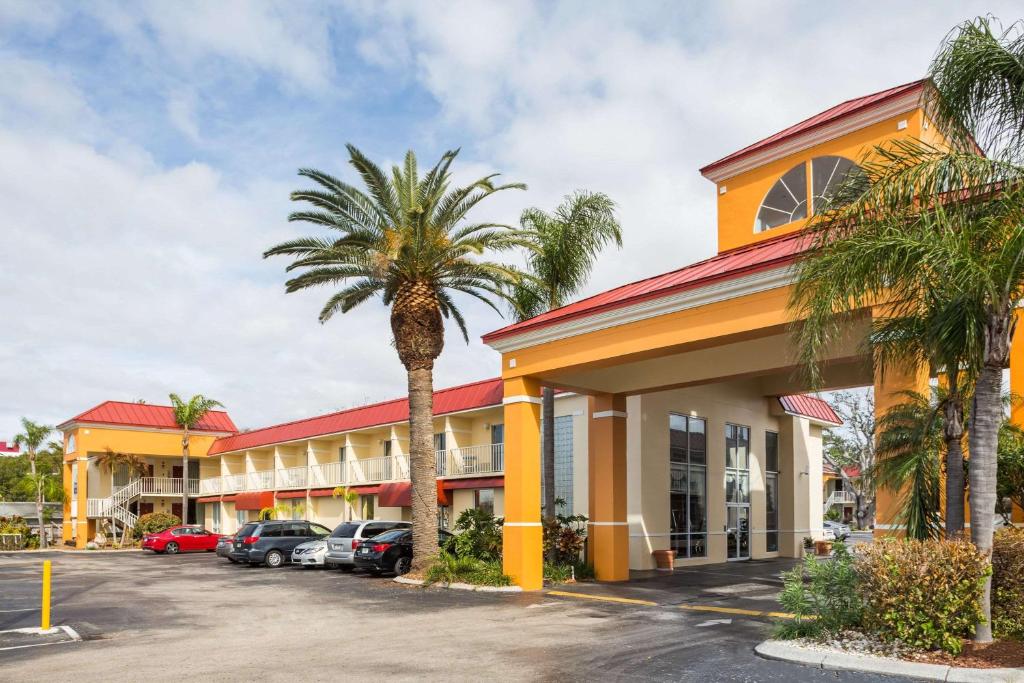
x=423, y=468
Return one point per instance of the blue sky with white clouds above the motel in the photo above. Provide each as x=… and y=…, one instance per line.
x=148, y=151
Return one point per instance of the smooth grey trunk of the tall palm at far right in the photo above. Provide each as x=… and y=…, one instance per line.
x=986, y=420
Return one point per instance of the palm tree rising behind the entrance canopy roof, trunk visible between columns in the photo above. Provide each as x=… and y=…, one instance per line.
x=564, y=247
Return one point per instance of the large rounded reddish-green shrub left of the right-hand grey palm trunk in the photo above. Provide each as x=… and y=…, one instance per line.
x=925, y=594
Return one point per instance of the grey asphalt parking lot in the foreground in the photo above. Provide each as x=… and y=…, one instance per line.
x=152, y=618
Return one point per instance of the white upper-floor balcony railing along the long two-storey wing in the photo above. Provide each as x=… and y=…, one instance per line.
x=472, y=461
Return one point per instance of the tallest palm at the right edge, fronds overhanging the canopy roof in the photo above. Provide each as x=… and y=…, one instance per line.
x=929, y=222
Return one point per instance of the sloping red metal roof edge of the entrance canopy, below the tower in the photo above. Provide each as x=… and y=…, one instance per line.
x=727, y=266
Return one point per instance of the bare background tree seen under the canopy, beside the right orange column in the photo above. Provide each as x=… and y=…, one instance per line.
x=854, y=447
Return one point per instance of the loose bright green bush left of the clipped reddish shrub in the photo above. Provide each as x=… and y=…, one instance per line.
x=822, y=595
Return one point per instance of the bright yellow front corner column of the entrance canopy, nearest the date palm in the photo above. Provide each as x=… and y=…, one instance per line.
x=524, y=553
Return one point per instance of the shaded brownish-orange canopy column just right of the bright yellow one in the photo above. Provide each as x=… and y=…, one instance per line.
x=609, y=547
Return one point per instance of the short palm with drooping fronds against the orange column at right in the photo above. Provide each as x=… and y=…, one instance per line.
x=911, y=440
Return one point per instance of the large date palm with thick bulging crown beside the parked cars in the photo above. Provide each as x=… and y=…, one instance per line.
x=406, y=240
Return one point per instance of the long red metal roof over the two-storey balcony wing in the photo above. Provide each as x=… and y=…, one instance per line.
x=464, y=398
